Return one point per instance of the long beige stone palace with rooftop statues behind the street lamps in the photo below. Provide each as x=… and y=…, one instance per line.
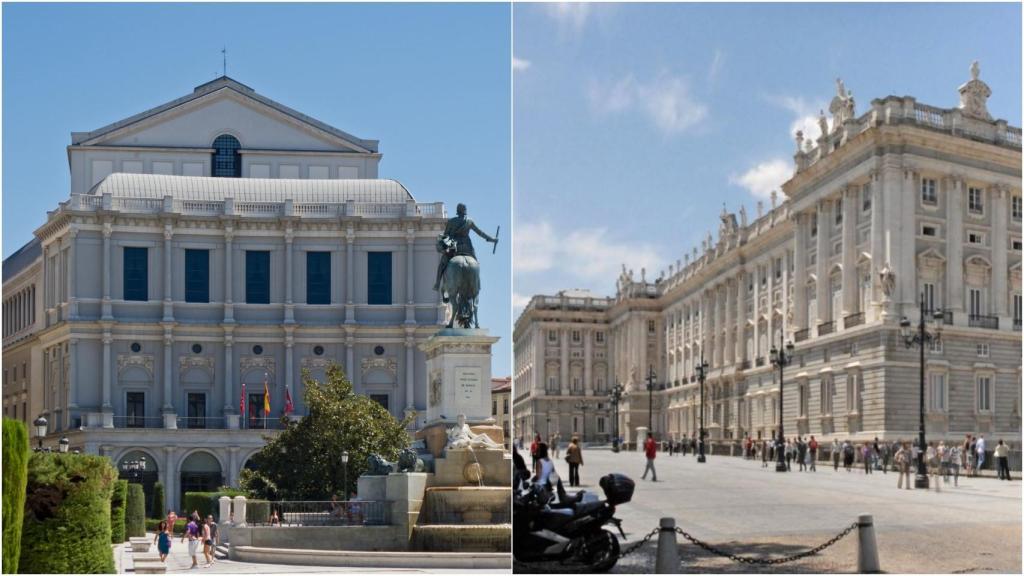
x=902, y=209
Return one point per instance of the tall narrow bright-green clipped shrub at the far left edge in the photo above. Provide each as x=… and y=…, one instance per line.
x=16, y=476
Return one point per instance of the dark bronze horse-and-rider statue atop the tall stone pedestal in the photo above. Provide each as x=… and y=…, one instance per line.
x=459, y=271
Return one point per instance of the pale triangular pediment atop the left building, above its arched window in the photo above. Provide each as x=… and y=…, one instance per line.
x=226, y=106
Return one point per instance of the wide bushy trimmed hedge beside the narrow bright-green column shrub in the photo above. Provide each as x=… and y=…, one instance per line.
x=67, y=526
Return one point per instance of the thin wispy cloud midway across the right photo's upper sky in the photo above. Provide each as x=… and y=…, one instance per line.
x=666, y=101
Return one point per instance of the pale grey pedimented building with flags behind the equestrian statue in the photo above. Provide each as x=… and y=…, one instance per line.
x=210, y=250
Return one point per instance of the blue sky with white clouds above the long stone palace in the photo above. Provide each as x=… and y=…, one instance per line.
x=635, y=124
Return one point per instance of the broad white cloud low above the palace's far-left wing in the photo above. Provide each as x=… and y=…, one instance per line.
x=589, y=255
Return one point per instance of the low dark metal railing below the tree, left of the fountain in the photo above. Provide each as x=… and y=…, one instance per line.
x=337, y=513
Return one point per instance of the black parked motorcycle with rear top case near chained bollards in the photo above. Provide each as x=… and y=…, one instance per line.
x=570, y=531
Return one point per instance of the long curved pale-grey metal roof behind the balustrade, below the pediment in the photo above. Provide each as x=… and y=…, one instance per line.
x=252, y=190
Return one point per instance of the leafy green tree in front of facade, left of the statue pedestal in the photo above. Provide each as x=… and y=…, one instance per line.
x=305, y=462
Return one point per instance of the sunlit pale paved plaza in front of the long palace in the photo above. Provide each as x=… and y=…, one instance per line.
x=739, y=506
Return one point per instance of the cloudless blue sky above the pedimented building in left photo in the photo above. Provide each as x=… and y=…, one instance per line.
x=432, y=83
